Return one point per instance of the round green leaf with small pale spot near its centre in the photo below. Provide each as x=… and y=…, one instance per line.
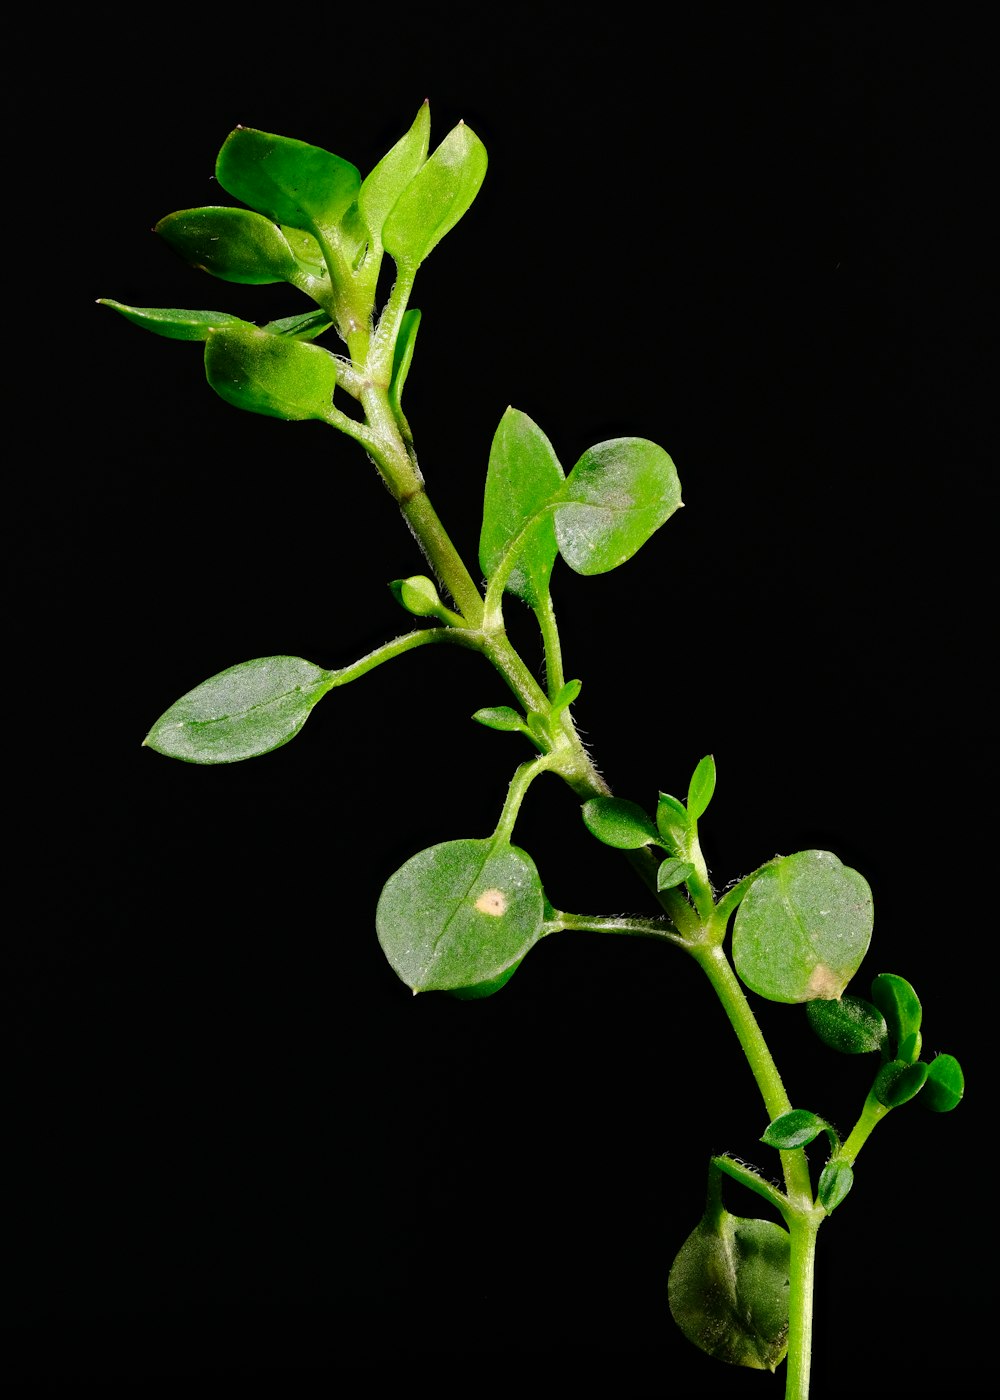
x=460, y=915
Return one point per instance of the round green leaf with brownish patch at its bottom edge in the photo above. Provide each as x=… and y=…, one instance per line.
x=803, y=929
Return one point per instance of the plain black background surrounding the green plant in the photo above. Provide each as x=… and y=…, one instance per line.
x=242, y=1150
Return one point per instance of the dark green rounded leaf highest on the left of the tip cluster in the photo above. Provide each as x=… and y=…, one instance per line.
x=289, y=181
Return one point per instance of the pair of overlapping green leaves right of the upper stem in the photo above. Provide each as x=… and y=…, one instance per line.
x=597, y=517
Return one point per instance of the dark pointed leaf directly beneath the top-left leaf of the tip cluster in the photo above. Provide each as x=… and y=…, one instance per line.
x=232, y=244
